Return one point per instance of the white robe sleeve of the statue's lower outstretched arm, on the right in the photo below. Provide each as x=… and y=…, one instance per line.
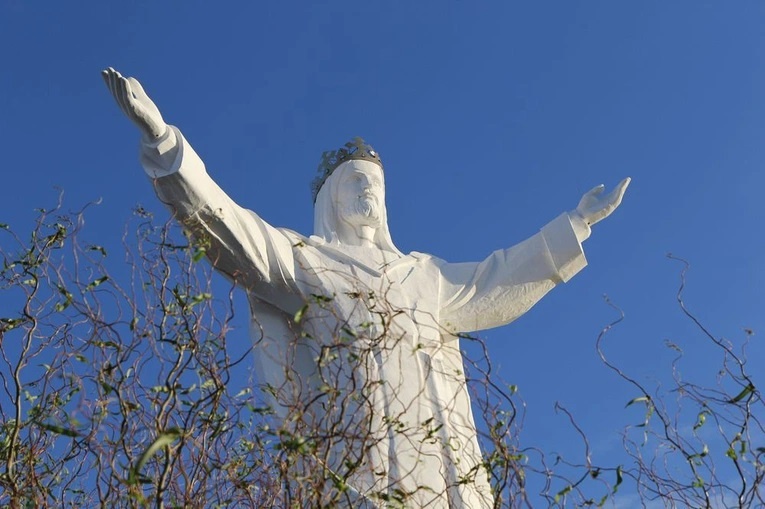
x=496, y=291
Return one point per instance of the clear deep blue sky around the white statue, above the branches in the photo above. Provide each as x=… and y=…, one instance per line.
x=492, y=118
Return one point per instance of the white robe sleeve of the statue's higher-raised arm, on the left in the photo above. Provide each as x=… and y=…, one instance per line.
x=239, y=244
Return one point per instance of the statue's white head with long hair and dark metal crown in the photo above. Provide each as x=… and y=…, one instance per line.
x=350, y=193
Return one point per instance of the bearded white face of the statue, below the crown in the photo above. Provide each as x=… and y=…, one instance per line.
x=361, y=194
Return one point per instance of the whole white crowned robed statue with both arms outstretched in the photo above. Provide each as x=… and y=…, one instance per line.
x=376, y=353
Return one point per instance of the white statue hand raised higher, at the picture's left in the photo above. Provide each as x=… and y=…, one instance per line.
x=134, y=103
